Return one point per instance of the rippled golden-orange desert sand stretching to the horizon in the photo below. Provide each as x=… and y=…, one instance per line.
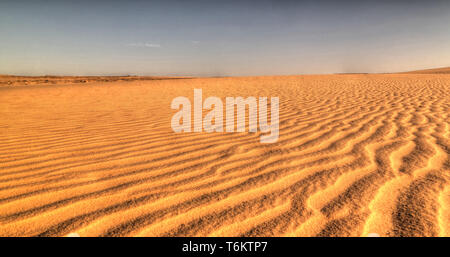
x=357, y=154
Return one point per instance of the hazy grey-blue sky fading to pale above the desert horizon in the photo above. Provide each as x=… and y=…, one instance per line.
x=220, y=38
